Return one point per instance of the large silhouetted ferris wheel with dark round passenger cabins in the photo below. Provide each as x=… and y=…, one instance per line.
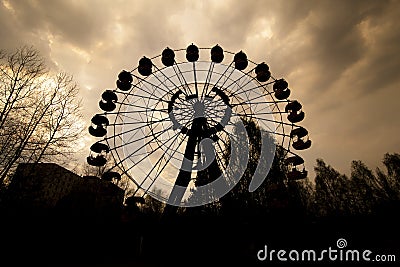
x=176, y=124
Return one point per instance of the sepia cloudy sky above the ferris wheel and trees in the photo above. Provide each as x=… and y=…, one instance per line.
x=341, y=58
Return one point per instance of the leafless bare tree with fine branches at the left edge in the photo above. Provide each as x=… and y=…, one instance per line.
x=40, y=117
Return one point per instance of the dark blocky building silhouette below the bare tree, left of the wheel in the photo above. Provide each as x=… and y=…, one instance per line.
x=47, y=189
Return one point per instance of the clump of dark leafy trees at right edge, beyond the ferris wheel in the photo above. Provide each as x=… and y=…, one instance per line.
x=363, y=193
